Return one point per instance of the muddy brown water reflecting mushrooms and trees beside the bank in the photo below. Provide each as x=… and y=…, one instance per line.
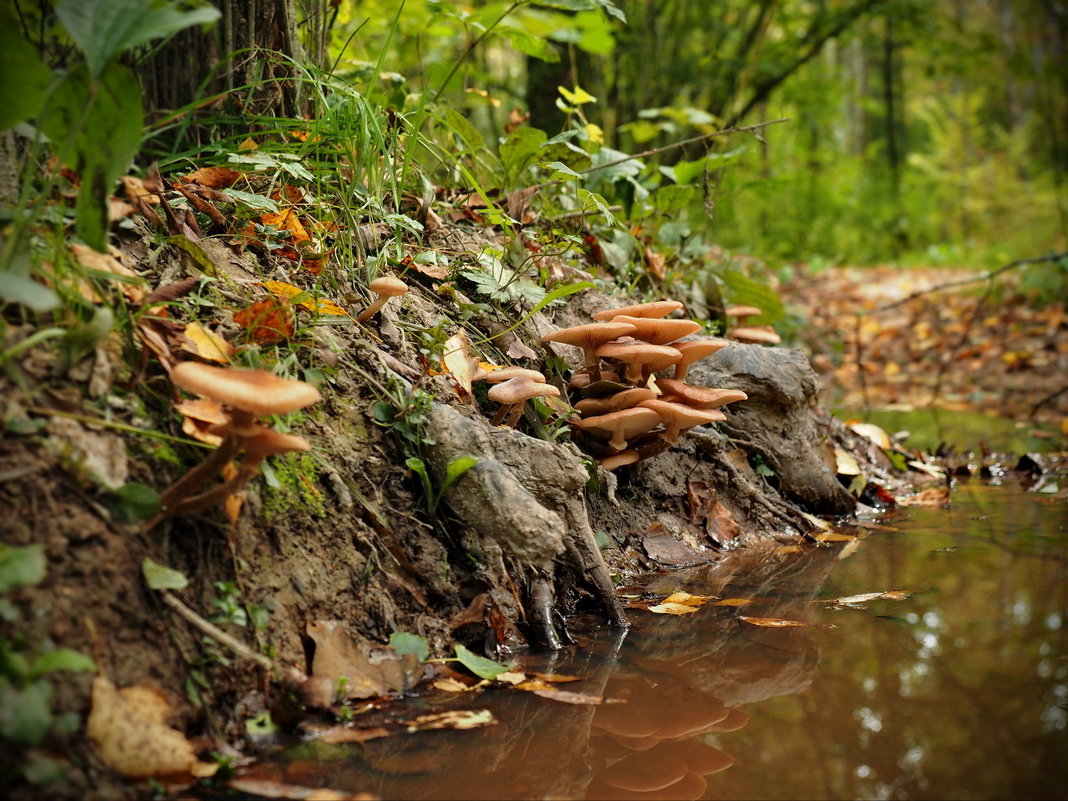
x=960, y=692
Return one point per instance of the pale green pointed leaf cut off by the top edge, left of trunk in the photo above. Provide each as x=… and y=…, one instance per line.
x=104, y=29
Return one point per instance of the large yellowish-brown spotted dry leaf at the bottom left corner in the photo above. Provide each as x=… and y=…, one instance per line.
x=130, y=730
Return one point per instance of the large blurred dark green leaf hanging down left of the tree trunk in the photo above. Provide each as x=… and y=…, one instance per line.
x=97, y=129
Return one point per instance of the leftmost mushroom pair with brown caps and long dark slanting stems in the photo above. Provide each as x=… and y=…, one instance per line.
x=243, y=396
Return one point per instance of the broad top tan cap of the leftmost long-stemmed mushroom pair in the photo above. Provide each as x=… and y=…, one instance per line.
x=257, y=391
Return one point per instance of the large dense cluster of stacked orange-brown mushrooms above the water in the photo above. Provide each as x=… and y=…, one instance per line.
x=626, y=413
